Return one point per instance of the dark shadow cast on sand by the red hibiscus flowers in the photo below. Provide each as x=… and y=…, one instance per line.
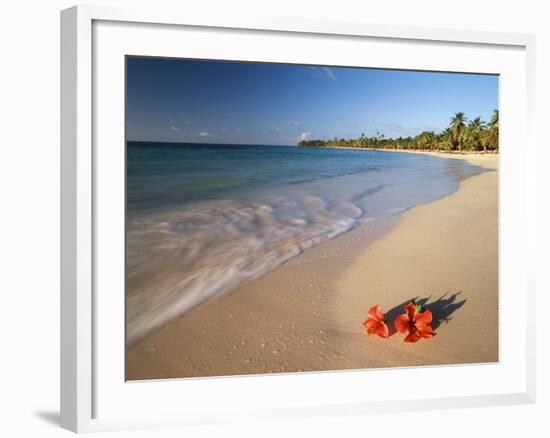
x=442, y=309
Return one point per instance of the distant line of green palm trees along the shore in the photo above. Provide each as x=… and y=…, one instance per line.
x=461, y=135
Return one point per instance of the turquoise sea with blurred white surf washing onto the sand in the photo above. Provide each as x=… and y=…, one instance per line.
x=202, y=219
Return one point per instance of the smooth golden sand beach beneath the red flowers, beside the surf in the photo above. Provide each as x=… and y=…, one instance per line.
x=306, y=315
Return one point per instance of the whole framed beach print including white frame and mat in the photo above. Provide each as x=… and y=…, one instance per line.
x=257, y=208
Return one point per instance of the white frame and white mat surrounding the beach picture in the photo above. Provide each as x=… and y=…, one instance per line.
x=92, y=394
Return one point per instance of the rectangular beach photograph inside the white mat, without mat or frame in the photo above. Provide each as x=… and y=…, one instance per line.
x=287, y=218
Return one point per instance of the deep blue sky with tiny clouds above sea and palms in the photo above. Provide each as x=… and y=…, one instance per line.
x=178, y=100
